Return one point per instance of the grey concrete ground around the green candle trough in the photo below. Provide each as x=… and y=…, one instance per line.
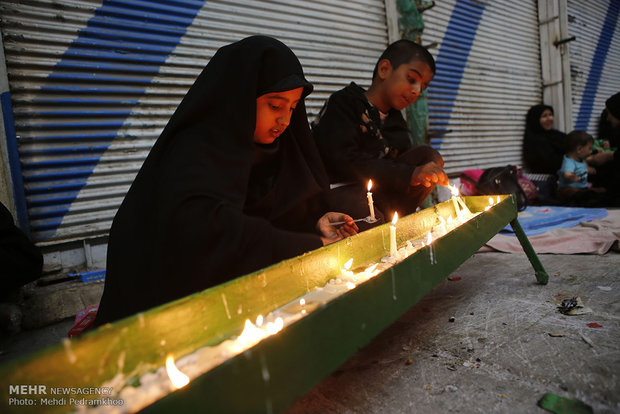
x=497, y=356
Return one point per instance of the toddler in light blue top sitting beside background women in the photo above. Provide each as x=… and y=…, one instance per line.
x=573, y=174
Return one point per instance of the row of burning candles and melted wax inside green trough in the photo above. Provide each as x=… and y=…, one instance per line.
x=207, y=358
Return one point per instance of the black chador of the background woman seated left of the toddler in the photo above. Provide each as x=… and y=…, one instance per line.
x=543, y=150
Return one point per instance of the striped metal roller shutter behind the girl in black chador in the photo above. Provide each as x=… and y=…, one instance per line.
x=93, y=84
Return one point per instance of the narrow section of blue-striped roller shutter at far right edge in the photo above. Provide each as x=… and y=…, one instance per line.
x=595, y=59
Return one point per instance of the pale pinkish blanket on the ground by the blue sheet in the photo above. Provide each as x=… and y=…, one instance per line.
x=586, y=237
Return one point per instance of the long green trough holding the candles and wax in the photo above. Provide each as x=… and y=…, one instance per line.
x=140, y=343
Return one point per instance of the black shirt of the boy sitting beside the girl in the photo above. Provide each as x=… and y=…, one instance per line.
x=356, y=145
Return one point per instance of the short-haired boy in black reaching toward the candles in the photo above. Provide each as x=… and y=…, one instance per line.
x=362, y=135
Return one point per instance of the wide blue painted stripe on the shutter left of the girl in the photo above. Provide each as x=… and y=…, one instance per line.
x=146, y=30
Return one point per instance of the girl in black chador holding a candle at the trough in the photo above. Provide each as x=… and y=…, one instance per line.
x=234, y=183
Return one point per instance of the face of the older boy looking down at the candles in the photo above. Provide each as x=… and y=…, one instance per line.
x=403, y=85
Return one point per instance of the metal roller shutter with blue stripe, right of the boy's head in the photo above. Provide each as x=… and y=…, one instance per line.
x=488, y=75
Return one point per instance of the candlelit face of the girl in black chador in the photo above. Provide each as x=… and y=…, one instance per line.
x=273, y=114
